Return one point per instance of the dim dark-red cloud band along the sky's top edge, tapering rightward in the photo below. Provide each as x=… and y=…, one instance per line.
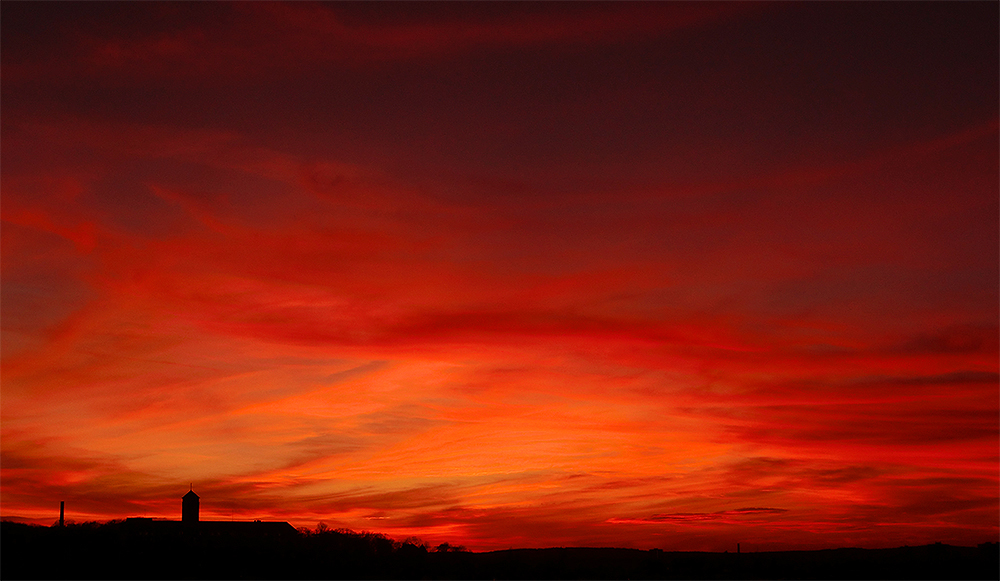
x=246, y=41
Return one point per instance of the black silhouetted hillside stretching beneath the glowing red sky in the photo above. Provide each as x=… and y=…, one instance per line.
x=118, y=550
